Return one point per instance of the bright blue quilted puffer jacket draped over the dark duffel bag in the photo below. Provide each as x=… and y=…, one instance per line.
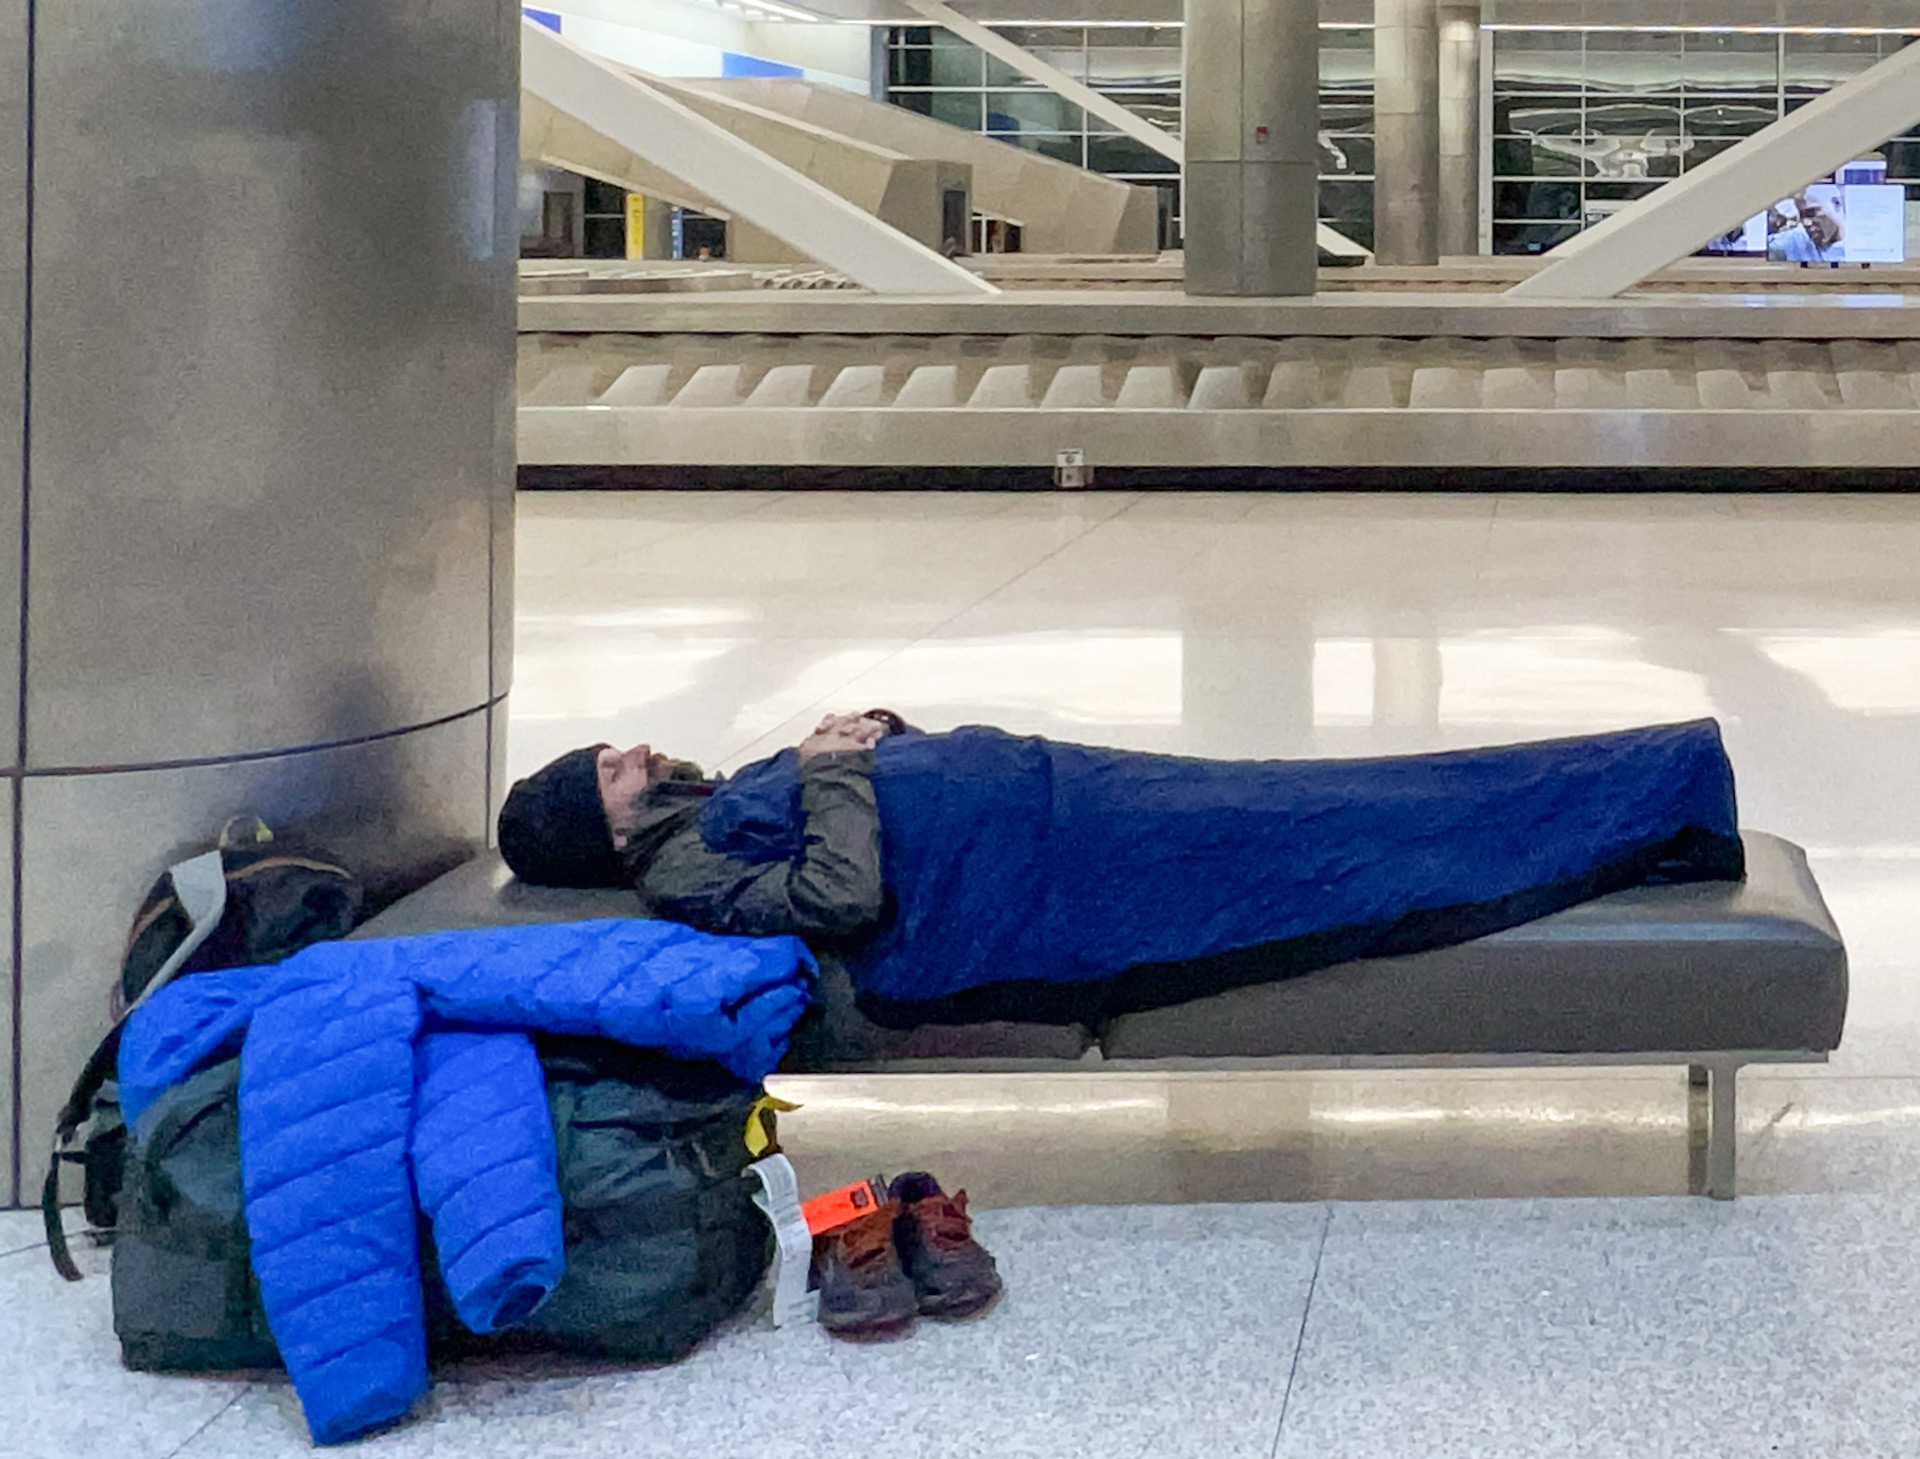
x=385, y=1080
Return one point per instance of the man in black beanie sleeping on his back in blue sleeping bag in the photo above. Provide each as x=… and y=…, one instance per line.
x=978, y=876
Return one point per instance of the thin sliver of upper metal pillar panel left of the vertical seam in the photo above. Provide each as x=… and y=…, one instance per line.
x=12, y=350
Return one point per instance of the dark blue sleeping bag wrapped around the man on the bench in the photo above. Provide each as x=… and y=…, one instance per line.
x=1057, y=882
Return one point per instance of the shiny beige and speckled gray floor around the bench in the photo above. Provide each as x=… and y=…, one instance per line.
x=1266, y=1266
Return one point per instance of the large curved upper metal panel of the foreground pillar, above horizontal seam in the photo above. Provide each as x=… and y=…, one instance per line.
x=274, y=297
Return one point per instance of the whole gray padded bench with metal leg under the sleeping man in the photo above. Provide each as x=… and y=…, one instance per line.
x=1712, y=976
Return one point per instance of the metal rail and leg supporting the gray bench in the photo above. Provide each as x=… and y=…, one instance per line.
x=1714, y=1070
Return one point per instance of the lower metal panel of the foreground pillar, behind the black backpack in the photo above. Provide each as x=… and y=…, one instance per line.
x=398, y=811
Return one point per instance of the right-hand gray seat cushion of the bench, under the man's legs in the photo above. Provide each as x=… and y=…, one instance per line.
x=1750, y=965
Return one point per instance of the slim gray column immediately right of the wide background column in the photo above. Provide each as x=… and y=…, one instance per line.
x=1406, y=126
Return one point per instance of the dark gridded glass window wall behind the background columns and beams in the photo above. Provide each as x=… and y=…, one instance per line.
x=1585, y=122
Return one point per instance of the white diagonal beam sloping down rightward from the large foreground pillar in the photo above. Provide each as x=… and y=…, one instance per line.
x=736, y=176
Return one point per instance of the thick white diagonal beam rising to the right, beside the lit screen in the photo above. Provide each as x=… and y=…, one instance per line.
x=1671, y=224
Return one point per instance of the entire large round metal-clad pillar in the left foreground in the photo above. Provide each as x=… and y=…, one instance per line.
x=256, y=464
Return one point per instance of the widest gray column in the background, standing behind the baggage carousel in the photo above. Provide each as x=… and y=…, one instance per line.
x=1253, y=151
